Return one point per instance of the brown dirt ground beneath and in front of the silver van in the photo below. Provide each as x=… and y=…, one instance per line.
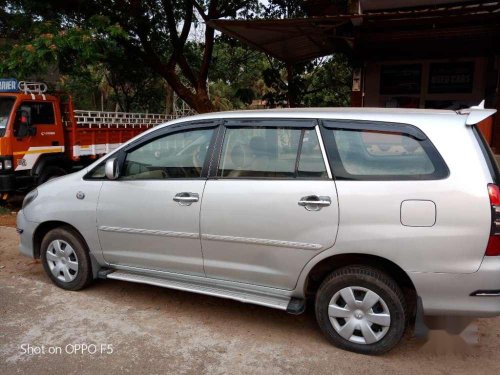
x=154, y=330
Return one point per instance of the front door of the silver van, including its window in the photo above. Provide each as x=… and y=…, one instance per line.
x=149, y=217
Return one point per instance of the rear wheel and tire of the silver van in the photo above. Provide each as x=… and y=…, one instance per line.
x=361, y=285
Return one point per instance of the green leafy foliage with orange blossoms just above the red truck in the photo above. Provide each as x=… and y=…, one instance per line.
x=89, y=62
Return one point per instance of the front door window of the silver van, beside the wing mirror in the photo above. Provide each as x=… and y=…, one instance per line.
x=177, y=155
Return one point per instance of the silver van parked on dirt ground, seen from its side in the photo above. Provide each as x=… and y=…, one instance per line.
x=376, y=217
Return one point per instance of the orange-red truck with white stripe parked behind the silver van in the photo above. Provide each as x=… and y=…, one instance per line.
x=42, y=136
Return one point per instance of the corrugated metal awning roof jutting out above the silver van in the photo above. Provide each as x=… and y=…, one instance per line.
x=295, y=40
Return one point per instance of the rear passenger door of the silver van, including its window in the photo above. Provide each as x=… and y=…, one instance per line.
x=272, y=205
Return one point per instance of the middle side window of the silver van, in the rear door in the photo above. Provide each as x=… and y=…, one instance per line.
x=268, y=152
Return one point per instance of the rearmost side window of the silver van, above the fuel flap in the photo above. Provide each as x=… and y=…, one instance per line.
x=366, y=151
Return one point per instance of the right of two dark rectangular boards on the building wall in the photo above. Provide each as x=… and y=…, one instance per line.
x=451, y=78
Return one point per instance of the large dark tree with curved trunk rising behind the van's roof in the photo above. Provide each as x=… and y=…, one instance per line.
x=154, y=32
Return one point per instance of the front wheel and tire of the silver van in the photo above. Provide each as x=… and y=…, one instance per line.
x=66, y=259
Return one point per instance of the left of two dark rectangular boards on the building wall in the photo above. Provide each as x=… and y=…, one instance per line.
x=400, y=79
